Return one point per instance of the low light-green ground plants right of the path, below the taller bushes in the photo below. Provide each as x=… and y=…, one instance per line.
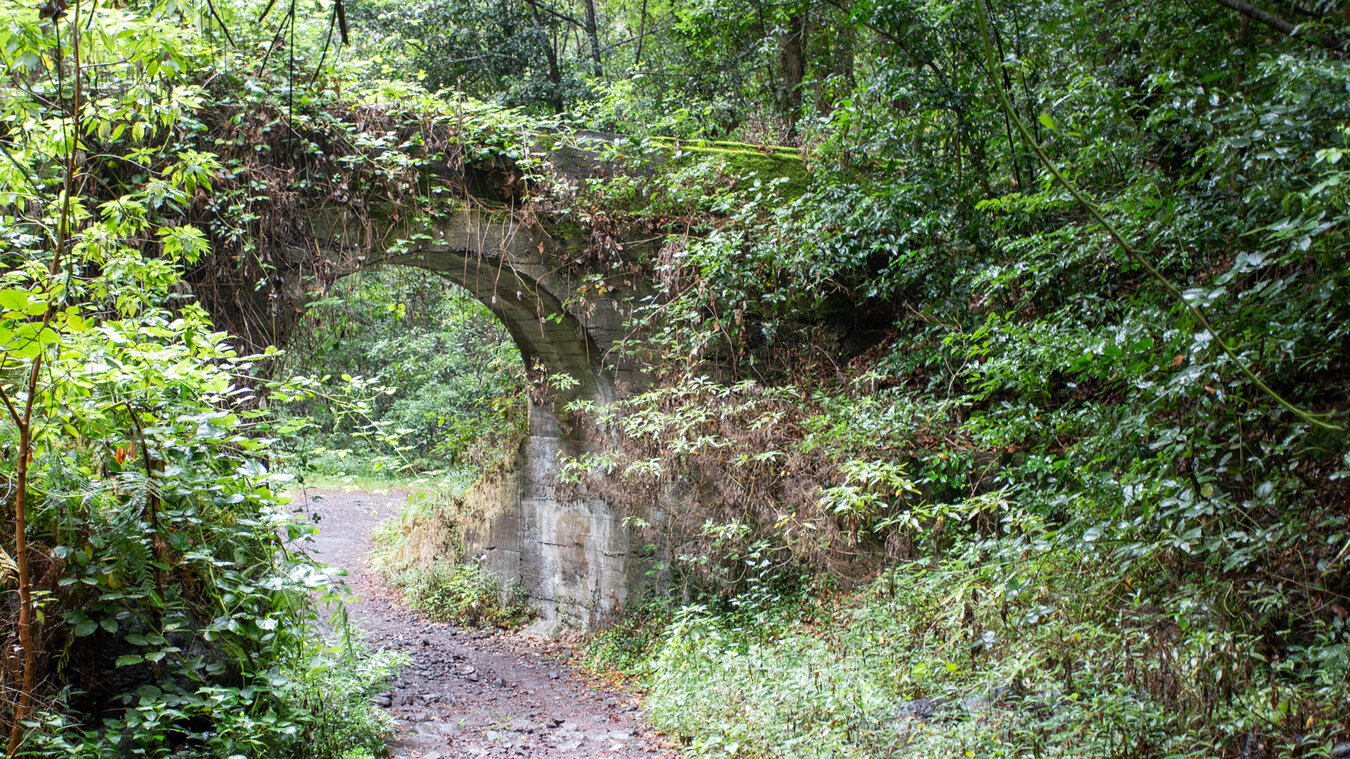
x=973, y=656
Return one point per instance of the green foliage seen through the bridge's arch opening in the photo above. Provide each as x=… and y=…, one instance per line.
x=418, y=376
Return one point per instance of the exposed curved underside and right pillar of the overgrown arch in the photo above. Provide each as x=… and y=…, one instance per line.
x=572, y=553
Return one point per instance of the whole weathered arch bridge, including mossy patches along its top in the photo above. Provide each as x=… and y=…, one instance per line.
x=570, y=553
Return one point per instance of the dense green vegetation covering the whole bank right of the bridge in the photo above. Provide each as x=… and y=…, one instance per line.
x=1098, y=487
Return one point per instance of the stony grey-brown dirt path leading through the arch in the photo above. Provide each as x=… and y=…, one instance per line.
x=472, y=693
